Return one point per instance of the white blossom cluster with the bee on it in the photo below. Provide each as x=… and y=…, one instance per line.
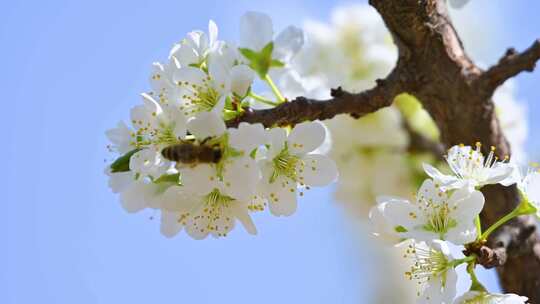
x=177, y=155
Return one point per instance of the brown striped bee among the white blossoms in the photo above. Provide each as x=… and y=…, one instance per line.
x=192, y=153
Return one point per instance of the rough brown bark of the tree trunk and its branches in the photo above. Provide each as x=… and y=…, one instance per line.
x=434, y=67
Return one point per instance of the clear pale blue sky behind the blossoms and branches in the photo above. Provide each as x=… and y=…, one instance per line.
x=70, y=70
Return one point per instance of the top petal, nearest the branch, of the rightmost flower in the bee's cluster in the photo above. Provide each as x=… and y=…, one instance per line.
x=306, y=137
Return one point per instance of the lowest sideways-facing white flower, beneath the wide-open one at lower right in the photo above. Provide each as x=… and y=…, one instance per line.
x=430, y=270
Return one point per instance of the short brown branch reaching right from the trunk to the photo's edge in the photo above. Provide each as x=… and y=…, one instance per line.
x=511, y=64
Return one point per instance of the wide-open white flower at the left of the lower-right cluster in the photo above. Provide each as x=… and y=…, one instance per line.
x=436, y=214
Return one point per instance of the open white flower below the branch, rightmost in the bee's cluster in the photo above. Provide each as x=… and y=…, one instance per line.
x=289, y=163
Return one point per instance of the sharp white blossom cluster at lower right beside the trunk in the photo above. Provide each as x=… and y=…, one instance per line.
x=446, y=210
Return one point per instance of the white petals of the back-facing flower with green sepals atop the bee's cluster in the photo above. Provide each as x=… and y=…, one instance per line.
x=256, y=31
